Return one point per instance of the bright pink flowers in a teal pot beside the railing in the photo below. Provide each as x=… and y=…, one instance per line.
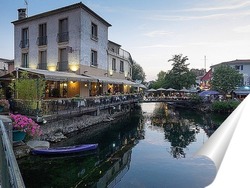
x=23, y=125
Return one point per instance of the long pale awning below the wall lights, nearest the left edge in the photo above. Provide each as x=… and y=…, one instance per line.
x=58, y=76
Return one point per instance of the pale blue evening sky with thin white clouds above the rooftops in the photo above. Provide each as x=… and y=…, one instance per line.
x=208, y=32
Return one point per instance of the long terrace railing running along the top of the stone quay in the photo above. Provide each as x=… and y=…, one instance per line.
x=69, y=105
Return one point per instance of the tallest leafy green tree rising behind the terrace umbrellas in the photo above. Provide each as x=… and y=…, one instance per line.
x=179, y=76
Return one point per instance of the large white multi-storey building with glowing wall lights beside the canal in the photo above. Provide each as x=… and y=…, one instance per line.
x=72, y=39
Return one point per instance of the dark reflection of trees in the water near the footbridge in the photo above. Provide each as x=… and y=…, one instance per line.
x=181, y=126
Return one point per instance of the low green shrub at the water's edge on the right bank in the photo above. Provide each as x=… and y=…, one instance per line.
x=225, y=106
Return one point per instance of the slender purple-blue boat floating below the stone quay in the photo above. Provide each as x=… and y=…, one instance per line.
x=64, y=150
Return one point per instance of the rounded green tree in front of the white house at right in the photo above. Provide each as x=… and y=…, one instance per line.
x=225, y=79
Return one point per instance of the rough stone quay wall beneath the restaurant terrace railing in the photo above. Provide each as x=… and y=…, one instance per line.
x=57, y=130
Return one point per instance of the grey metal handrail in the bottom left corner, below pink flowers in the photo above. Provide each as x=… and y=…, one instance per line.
x=10, y=173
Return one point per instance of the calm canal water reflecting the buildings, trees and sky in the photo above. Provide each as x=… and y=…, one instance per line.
x=154, y=146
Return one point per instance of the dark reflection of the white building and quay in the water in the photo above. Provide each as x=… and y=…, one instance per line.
x=100, y=169
